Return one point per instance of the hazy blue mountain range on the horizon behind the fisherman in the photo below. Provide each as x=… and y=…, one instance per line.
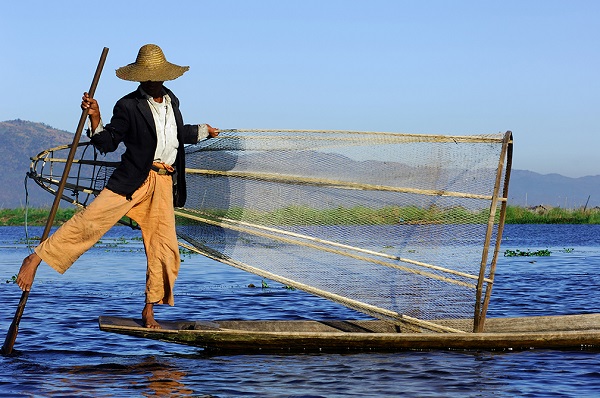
x=20, y=139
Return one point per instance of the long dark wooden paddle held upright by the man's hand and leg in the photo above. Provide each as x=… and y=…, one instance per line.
x=11, y=336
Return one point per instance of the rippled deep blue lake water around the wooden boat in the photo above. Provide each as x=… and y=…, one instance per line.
x=61, y=352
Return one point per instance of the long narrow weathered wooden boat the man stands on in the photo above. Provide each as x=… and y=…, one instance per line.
x=232, y=336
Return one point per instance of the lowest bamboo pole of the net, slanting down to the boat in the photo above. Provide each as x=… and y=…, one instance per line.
x=355, y=304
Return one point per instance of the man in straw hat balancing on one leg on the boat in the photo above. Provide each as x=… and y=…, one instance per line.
x=146, y=186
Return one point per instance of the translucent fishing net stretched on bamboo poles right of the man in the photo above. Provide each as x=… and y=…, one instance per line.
x=402, y=227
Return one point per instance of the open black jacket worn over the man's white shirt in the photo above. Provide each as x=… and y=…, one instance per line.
x=132, y=123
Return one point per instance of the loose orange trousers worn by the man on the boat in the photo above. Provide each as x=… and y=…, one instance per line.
x=151, y=206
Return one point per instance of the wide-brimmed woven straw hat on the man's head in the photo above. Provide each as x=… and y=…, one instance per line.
x=151, y=65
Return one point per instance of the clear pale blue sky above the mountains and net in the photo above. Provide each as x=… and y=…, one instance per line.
x=457, y=67
